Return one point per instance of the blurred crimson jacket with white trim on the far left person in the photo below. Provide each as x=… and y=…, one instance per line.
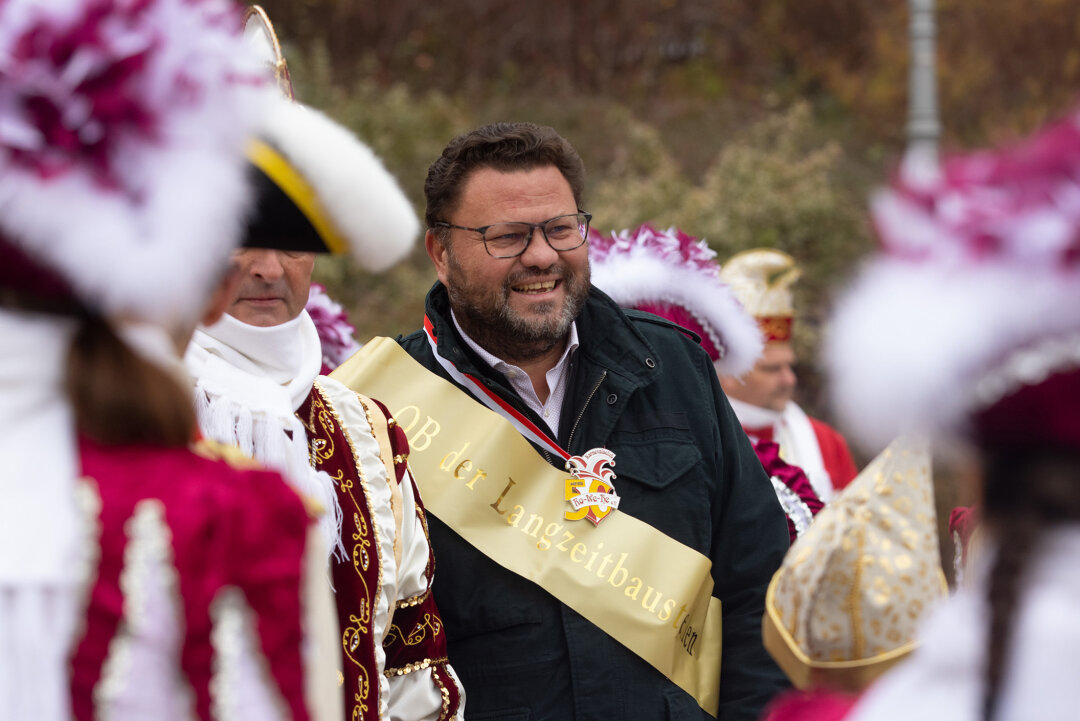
x=195, y=590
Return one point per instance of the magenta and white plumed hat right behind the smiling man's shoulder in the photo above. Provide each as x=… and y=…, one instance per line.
x=676, y=277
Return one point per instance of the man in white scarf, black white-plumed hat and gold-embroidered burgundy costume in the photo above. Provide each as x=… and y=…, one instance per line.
x=319, y=189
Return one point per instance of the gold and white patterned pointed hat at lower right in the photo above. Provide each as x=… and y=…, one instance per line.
x=846, y=603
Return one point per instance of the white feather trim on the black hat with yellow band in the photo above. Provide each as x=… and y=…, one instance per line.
x=358, y=195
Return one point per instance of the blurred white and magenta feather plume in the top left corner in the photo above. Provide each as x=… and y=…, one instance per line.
x=124, y=127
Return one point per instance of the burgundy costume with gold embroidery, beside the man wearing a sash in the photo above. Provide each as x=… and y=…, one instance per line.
x=407, y=643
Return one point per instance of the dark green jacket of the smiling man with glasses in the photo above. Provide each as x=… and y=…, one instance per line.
x=649, y=392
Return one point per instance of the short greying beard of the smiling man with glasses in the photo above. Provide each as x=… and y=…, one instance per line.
x=511, y=337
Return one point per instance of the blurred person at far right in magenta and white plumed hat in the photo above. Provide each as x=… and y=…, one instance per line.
x=967, y=324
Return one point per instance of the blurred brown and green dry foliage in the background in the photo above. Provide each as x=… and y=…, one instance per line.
x=763, y=124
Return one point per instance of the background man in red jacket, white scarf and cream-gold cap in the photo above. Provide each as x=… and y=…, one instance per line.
x=763, y=398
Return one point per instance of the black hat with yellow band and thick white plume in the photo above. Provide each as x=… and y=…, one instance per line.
x=319, y=188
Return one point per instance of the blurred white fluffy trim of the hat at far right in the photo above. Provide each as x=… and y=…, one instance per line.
x=909, y=344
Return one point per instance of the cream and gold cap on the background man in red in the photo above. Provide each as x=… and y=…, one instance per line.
x=762, y=280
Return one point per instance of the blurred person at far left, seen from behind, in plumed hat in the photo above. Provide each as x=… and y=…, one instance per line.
x=142, y=577
